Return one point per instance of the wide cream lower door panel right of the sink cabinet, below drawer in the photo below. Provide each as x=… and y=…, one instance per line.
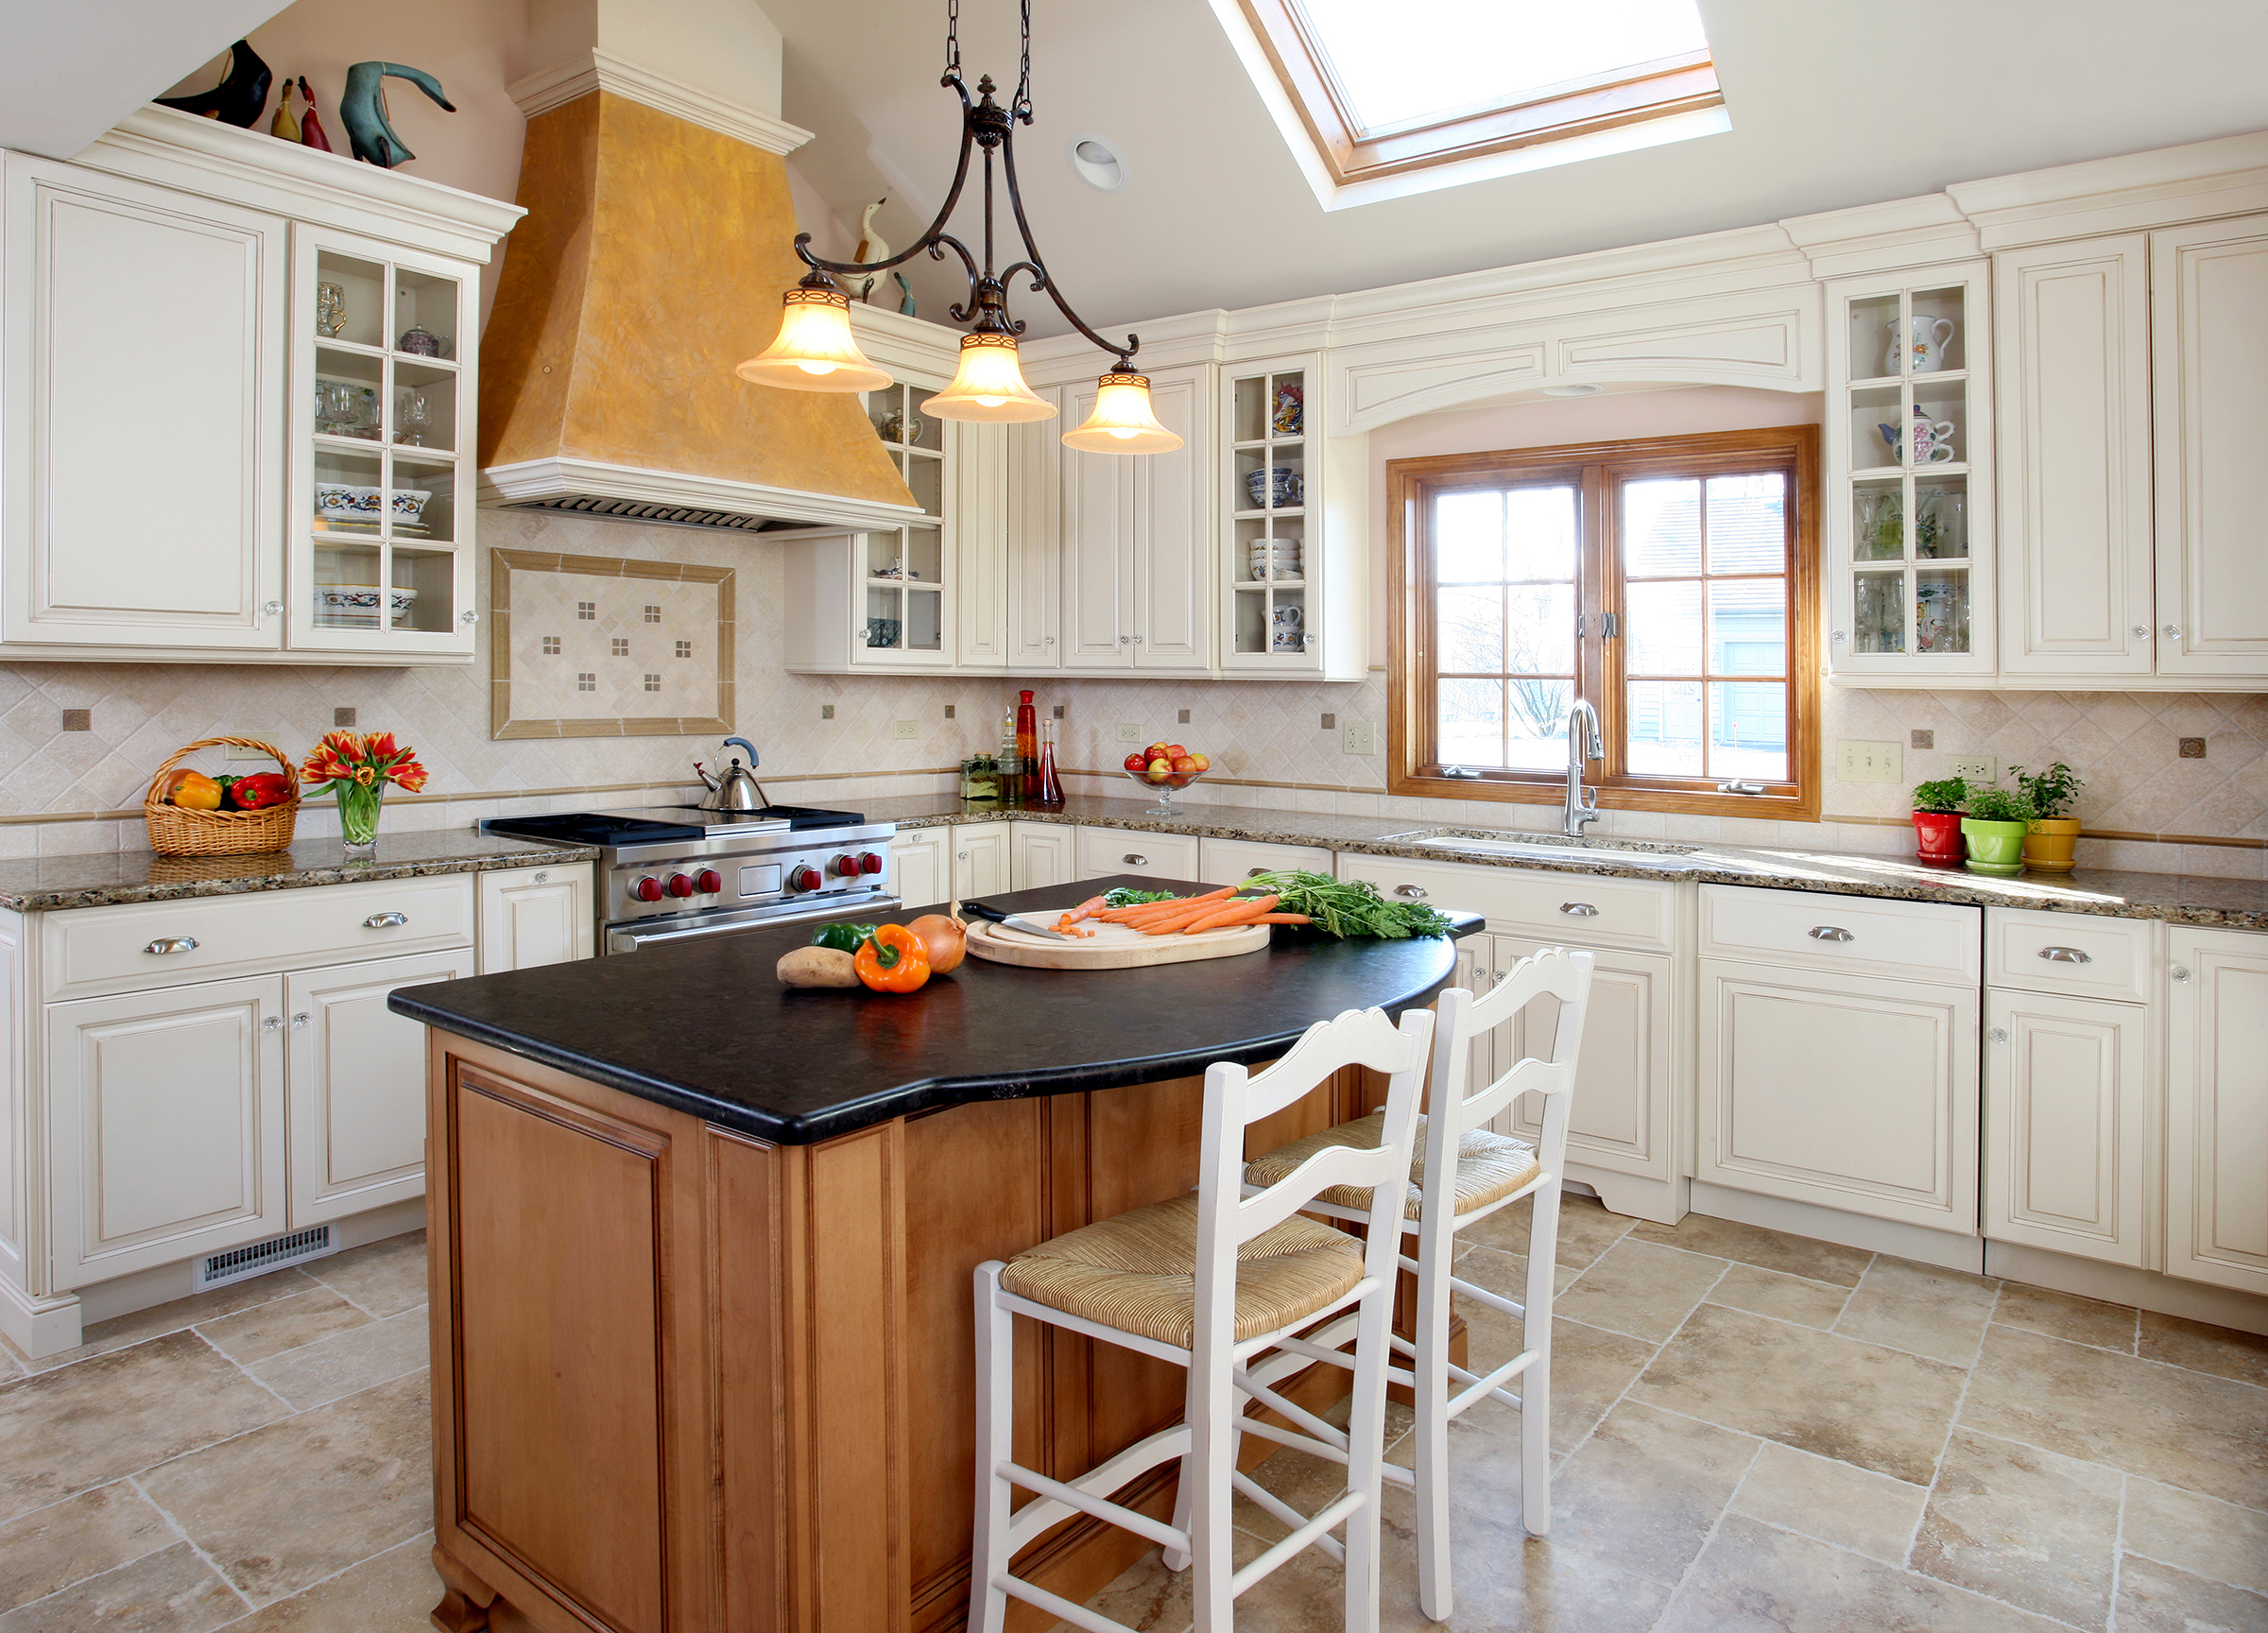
x=1840, y=1090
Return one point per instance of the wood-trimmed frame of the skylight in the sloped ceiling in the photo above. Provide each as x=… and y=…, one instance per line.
x=1355, y=153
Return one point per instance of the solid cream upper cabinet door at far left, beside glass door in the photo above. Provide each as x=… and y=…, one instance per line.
x=192, y=550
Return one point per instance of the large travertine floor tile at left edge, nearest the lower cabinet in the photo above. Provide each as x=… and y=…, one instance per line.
x=115, y=1414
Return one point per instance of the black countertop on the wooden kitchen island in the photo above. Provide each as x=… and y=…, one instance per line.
x=709, y=1031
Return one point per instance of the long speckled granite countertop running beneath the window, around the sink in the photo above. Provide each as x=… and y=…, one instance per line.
x=2172, y=897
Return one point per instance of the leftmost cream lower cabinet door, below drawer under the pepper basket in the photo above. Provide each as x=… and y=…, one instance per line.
x=167, y=1126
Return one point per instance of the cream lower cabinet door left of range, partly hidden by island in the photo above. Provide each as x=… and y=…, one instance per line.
x=355, y=1085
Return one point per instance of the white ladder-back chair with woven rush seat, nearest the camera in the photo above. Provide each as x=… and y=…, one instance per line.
x=1210, y=1283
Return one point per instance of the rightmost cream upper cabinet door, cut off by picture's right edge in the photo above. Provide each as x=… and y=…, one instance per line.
x=2210, y=355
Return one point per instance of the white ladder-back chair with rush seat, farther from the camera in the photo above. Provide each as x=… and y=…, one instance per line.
x=1491, y=1171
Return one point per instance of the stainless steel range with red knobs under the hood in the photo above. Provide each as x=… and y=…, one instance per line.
x=679, y=872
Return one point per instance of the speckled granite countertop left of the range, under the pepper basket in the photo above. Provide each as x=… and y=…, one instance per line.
x=137, y=877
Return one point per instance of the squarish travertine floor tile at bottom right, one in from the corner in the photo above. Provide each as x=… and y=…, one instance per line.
x=2026, y=1528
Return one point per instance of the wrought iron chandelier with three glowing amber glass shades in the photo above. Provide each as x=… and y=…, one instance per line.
x=815, y=348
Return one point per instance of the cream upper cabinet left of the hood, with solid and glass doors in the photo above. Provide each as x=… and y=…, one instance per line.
x=237, y=398
